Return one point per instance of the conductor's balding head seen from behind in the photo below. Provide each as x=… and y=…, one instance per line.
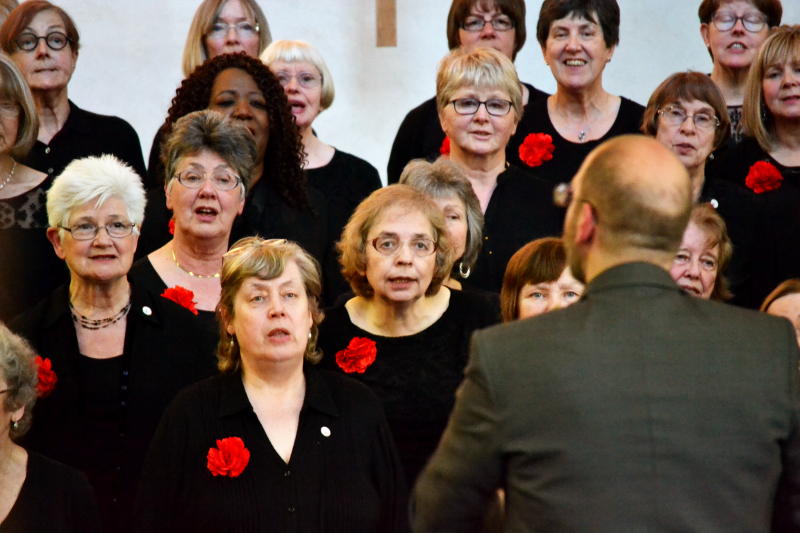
x=640, y=192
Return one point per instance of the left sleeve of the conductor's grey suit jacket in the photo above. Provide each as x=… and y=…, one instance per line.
x=453, y=491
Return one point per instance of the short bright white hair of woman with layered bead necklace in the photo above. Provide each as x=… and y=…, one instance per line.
x=95, y=178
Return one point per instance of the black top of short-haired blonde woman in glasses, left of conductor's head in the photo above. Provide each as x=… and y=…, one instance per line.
x=521, y=209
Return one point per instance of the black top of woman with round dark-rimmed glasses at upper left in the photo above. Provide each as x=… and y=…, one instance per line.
x=84, y=134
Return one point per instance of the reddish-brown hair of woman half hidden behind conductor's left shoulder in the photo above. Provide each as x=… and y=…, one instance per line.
x=539, y=261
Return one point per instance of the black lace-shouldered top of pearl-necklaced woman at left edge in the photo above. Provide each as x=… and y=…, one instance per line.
x=29, y=269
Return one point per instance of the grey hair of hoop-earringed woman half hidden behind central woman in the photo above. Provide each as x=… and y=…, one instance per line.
x=445, y=179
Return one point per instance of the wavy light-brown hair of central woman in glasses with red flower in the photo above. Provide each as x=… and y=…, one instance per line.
x=353, y=246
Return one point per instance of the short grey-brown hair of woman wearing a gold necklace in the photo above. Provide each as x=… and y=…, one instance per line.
x=212, y=131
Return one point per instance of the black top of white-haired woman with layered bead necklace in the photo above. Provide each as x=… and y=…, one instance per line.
x=78, y=426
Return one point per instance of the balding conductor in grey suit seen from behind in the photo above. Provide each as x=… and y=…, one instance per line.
x=639, y=408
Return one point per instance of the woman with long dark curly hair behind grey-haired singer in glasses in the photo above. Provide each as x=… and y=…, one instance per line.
x=278, y=203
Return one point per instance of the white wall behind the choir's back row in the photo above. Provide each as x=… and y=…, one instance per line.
x=130, y=58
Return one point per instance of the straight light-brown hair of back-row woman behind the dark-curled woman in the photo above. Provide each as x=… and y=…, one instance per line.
x=194, y=51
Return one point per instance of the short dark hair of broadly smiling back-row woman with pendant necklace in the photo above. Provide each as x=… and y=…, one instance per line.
x=604, y=13
